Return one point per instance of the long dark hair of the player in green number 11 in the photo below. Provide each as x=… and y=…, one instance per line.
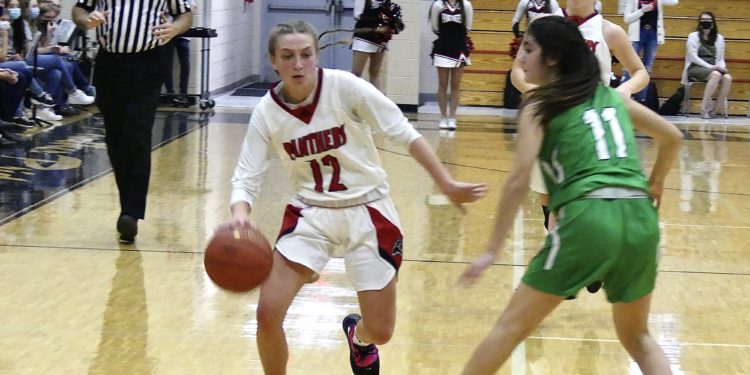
x=577, y=67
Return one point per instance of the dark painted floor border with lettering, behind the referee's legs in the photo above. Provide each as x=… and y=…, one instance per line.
x=59, y=159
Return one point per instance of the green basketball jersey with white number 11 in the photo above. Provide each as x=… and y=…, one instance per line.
x=588, y=147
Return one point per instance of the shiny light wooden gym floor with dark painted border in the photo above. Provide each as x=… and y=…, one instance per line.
x=74, y=301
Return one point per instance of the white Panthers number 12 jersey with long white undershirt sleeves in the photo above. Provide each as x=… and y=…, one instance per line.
x=327, y=146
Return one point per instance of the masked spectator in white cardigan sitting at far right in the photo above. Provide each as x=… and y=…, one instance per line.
x=704, y=62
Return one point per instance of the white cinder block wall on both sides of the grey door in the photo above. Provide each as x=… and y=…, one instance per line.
x=236, y=53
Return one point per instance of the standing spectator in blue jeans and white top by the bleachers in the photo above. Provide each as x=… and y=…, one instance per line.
x=645, y=19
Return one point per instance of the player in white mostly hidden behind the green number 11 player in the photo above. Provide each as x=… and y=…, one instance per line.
x=605, y=39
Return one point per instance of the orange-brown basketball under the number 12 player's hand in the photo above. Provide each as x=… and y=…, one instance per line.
x=238, y=259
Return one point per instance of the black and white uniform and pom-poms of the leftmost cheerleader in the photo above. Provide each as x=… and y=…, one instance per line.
x=371, y=14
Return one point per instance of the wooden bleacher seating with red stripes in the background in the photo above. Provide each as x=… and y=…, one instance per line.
x=484, y=80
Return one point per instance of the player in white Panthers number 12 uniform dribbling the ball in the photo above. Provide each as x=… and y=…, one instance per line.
x=320, y=123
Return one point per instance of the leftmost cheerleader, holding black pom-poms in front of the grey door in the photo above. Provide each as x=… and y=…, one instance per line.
x=383, y=18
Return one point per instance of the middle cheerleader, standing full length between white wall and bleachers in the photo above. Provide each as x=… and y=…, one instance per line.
x=451, y=21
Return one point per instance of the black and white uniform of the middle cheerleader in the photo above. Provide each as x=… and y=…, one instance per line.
x=452, y=47
